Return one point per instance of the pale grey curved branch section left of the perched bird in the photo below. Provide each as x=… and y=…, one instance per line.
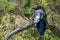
x=18, y=30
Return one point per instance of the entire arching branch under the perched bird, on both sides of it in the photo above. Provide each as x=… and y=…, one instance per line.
x=54, y=29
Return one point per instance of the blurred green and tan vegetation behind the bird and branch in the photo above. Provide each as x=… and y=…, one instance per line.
x=14, y=13
